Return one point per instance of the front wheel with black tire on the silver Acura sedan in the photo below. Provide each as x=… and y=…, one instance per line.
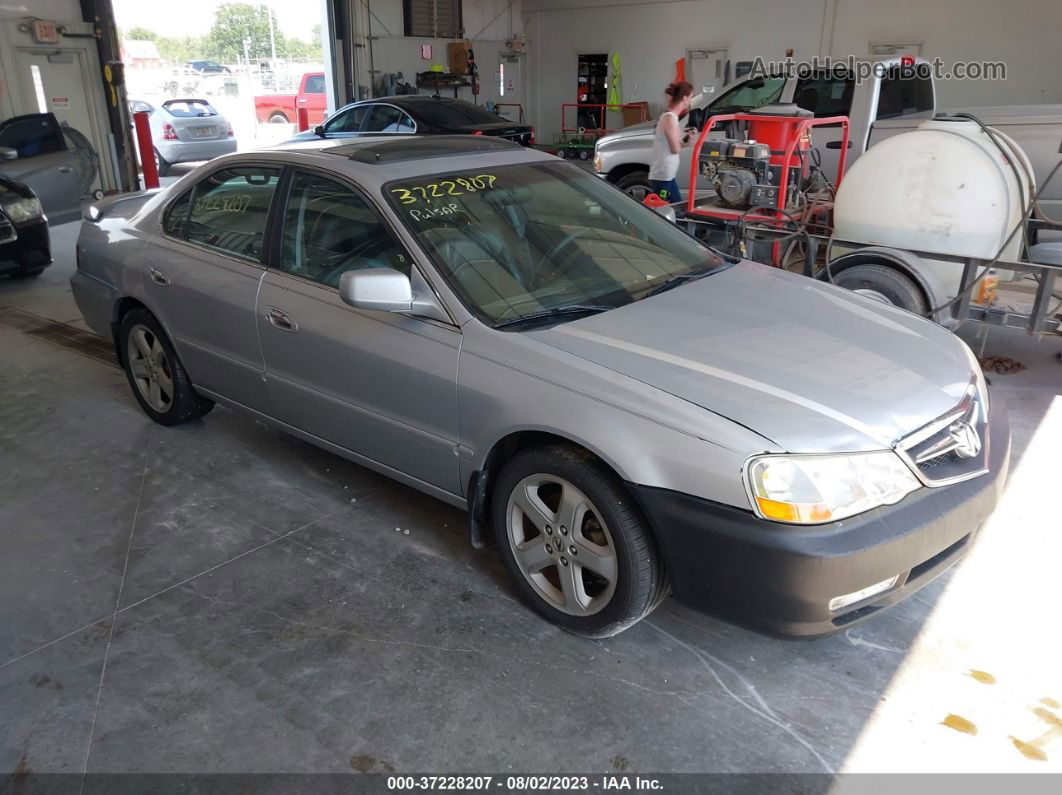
x=577, y=548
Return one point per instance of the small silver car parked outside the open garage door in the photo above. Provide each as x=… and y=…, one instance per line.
x=186, y=131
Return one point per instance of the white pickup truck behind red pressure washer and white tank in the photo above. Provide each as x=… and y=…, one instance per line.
x=895, y=101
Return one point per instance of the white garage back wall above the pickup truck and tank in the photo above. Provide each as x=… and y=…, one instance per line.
x=652, y=37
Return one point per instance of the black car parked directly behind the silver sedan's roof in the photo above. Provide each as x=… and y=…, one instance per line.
x=421, y=115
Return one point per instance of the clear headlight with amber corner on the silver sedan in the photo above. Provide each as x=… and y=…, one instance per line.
x=812, y=490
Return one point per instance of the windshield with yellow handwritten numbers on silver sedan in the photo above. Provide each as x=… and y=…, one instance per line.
x=523, y=240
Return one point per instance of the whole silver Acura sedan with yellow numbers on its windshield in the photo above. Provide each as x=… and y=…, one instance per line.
x=625, y=411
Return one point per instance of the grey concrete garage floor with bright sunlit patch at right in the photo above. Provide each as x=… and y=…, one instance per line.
x=224, y=598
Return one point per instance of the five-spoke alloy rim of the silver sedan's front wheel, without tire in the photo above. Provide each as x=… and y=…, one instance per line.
x=562, y=545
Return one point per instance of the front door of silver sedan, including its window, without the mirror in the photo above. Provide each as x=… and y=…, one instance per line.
x=381, y=385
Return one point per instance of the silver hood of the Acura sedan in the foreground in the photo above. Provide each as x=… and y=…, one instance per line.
x=808, y=366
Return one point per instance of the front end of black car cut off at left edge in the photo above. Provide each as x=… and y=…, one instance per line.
x=25, y=245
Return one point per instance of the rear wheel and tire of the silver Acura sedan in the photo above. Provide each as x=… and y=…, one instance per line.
x=156, y=374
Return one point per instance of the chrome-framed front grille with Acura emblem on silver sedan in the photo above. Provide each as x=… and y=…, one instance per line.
x=954, y=447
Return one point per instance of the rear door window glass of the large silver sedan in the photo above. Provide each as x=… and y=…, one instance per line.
x=230, y=210
